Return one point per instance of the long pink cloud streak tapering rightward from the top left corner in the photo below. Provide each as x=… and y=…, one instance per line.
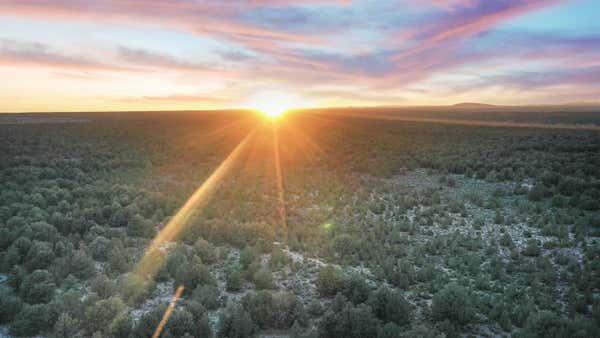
x=206, y=17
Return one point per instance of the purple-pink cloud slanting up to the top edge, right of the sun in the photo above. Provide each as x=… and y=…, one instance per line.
x=440, y=43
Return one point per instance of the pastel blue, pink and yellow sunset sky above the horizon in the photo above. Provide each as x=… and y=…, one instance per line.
x=86, y=55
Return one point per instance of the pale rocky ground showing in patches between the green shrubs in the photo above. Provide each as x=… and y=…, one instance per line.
x=302, y=282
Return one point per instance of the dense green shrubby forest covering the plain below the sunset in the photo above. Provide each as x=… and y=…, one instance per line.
x=391, y=228
